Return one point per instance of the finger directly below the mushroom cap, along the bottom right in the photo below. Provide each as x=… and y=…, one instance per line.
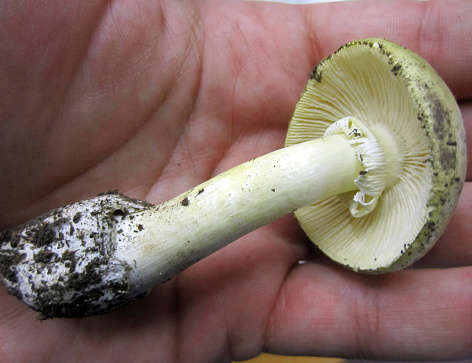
x=409, y=315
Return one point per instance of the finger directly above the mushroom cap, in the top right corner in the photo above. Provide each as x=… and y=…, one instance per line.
x=437, y=30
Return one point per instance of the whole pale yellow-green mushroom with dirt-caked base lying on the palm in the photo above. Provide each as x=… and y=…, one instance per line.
x=373, y=168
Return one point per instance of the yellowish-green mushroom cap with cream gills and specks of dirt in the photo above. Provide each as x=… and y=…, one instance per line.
x=383, y=83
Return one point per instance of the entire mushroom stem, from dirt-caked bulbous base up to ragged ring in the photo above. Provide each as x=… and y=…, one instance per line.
x=95, y=255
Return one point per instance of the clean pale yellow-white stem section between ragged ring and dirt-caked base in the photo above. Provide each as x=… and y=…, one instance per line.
x=168, y=238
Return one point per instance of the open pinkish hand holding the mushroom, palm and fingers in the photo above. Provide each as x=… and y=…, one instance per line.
x=152, y=98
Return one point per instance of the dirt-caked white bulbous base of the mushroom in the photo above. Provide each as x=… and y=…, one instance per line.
x=44, y=253
